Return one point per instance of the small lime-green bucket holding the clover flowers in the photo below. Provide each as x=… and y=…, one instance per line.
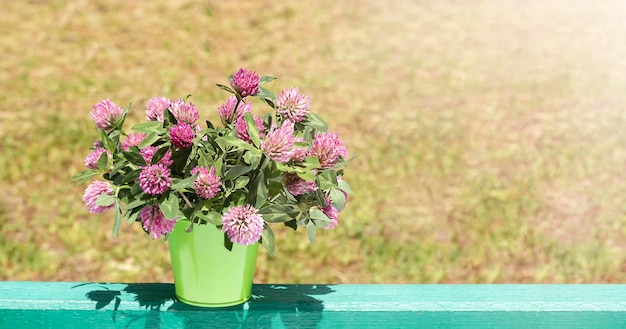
x=205, y=272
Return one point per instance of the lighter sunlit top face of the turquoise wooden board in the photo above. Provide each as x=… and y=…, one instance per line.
x=330, y=298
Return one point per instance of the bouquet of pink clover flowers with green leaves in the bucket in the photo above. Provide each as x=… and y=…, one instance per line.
x=282, y=167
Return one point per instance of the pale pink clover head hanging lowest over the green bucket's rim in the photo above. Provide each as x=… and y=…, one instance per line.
x=243, y=225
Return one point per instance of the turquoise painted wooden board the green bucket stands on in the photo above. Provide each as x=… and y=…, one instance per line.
x=153, y=305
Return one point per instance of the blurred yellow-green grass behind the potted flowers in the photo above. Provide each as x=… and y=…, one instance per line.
x=490, y=134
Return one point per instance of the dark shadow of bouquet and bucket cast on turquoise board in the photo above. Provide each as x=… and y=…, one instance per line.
x=269, y=307
